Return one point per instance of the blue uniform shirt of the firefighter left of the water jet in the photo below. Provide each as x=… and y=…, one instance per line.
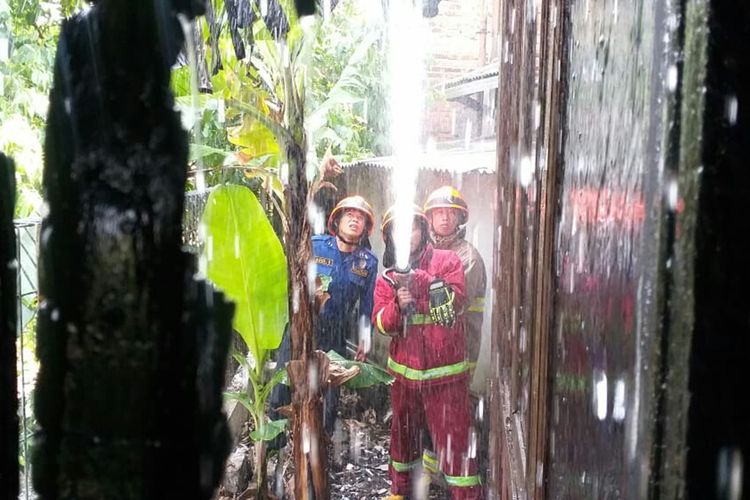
x=351, y=280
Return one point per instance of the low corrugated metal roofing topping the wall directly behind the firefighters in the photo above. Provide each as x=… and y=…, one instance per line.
x=454, y=162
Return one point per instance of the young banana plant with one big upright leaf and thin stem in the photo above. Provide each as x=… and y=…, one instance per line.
x=244, y=257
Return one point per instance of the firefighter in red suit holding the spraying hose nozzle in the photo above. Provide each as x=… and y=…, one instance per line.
x=417, y=308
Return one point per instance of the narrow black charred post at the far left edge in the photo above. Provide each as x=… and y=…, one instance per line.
x=8, y=318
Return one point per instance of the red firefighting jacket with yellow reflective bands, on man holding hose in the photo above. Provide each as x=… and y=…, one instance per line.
x=428, y=354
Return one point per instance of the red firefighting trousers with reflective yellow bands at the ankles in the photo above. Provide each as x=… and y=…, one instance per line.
x=445, y=410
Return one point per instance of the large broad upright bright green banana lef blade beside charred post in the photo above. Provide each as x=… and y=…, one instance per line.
x=245, y=259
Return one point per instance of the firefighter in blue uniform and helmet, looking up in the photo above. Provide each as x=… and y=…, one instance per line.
x=345, y=276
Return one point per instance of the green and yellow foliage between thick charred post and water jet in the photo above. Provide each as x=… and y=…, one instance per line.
x=343, y=99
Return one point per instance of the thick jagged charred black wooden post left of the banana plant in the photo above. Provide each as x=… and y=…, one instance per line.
x=132, y=347
